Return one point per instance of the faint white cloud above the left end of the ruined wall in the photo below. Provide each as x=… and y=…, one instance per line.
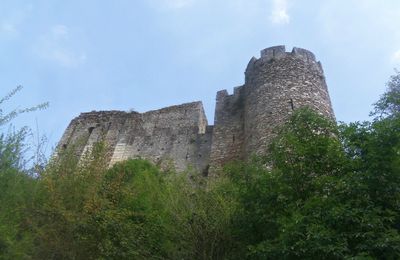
x=58, y=46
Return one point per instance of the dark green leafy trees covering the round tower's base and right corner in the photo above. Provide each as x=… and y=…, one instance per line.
x=322, y=199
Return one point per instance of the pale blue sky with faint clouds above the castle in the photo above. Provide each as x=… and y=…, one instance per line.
x=84, y=55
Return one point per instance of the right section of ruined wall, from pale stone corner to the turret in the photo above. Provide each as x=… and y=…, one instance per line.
x=168, y=137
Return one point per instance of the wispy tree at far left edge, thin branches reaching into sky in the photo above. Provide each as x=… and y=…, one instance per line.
x=16, y=186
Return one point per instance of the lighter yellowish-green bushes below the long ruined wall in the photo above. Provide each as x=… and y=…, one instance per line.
x=131, y=211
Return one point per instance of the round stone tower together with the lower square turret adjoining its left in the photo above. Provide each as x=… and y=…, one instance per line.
x=275, y=84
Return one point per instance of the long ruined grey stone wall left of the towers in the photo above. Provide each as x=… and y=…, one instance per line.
x=176, y=136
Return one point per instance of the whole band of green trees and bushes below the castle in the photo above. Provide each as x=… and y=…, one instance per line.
x=324, y=191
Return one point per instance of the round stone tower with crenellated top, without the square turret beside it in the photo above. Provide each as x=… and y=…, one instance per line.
x=276, y=84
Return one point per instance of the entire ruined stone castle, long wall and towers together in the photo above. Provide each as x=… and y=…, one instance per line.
x=245, y=122
